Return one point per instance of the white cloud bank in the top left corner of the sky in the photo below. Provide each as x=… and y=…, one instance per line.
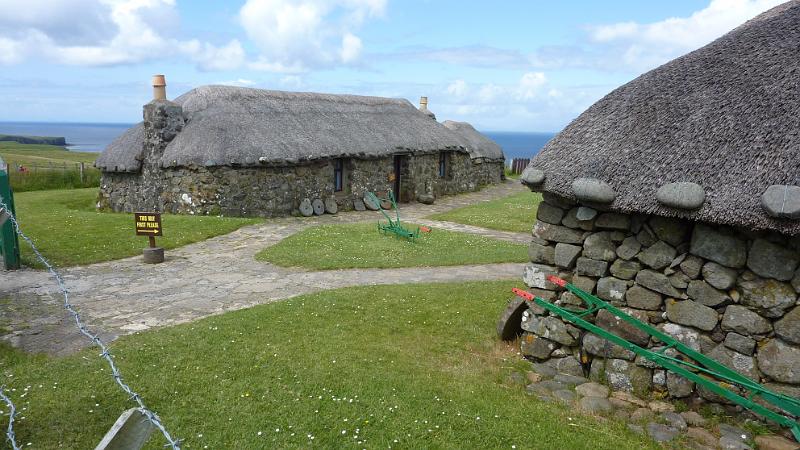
x=108, y=32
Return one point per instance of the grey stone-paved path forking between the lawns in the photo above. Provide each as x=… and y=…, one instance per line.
x=212, y=277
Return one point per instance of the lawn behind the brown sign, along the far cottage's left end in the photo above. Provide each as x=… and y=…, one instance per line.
x=69, y=231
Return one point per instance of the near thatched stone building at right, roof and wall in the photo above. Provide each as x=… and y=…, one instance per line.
x=677, y=196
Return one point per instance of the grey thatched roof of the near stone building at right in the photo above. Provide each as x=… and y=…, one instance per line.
x=724, y=117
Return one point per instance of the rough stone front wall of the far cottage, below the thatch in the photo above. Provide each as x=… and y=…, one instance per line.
x=278, y=191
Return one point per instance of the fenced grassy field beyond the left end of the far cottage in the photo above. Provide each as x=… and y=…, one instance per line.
x=47, y=167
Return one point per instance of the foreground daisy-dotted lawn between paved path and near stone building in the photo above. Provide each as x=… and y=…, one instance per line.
x=411, y=366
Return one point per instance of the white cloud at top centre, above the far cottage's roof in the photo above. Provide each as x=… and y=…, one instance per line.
x=294, y=36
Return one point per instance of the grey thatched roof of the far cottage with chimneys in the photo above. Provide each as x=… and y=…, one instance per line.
x=228, y=125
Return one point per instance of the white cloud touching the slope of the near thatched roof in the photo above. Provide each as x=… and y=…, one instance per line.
x=643, y=46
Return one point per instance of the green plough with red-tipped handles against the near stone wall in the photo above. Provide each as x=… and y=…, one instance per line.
x=688, y=363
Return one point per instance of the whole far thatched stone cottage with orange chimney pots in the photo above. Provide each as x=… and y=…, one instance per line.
x=241, y=151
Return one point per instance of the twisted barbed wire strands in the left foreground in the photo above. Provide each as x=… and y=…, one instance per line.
x=105, y=353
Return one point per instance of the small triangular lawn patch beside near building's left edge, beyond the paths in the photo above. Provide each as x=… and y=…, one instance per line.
x=513, y=213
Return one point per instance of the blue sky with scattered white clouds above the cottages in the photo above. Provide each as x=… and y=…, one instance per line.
x=509, y=65
